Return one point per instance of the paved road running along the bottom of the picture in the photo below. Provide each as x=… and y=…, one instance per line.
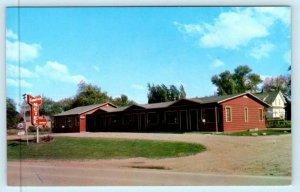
x=49, y=175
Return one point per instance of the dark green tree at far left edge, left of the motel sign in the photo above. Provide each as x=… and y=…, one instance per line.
x=12, y=115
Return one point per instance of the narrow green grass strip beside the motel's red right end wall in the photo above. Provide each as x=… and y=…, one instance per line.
x=260, y=132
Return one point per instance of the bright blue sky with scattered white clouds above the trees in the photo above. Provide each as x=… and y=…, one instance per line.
x=122, y=49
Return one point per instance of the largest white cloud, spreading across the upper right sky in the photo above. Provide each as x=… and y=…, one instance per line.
x=237, y=27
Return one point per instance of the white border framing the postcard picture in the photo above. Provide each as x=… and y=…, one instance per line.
x=295, y=92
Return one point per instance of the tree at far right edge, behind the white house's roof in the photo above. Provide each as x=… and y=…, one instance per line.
x=280, y=83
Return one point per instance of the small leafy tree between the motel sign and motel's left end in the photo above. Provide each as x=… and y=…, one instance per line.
x=50, y=107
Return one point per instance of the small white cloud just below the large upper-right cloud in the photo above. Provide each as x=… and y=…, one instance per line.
x=262, y=50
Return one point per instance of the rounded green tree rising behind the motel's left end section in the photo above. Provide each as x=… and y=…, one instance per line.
x=88, y=94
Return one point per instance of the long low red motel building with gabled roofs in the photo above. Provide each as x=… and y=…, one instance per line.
x=228, y=113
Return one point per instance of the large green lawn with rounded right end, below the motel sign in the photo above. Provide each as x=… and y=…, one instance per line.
x=96, y=148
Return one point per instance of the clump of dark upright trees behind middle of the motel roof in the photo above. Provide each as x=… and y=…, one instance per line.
x=161, y=93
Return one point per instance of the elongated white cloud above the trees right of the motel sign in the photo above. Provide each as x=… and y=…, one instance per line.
x=59, y=72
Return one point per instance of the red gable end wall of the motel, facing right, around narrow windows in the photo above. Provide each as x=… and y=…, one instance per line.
x=237, y=110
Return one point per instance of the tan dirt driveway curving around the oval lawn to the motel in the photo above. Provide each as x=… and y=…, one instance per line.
x=245, y=155
